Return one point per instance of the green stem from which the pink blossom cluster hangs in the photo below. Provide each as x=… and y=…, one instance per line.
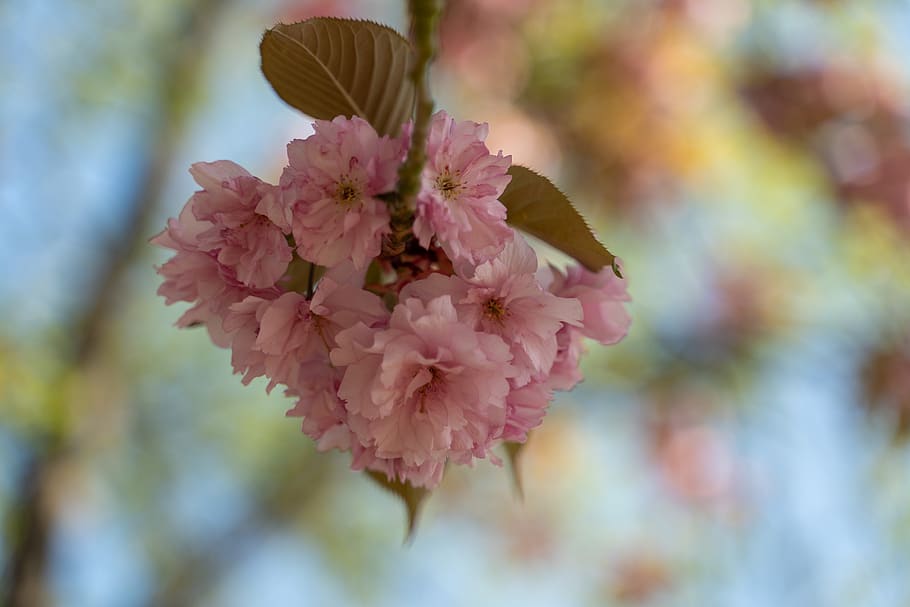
x=424, y=14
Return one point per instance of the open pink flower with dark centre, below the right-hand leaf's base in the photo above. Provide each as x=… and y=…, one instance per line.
x=502, y=297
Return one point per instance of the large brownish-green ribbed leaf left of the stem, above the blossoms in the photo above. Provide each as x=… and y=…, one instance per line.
x=326, y=67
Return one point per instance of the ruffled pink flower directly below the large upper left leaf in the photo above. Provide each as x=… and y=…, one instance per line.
x=330, y=188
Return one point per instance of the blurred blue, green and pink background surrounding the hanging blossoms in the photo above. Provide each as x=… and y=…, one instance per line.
x=746, y=445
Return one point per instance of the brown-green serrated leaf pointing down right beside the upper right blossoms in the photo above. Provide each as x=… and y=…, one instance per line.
x=538, y=207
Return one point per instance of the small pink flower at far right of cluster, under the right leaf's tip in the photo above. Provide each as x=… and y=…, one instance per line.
x=602, y=296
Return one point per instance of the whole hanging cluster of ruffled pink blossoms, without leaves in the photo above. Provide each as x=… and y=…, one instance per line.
x=408, y=360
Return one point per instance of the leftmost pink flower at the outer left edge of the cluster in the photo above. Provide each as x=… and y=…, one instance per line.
x=196, y=276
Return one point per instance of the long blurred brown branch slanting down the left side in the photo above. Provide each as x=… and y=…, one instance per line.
x=32, y=519
